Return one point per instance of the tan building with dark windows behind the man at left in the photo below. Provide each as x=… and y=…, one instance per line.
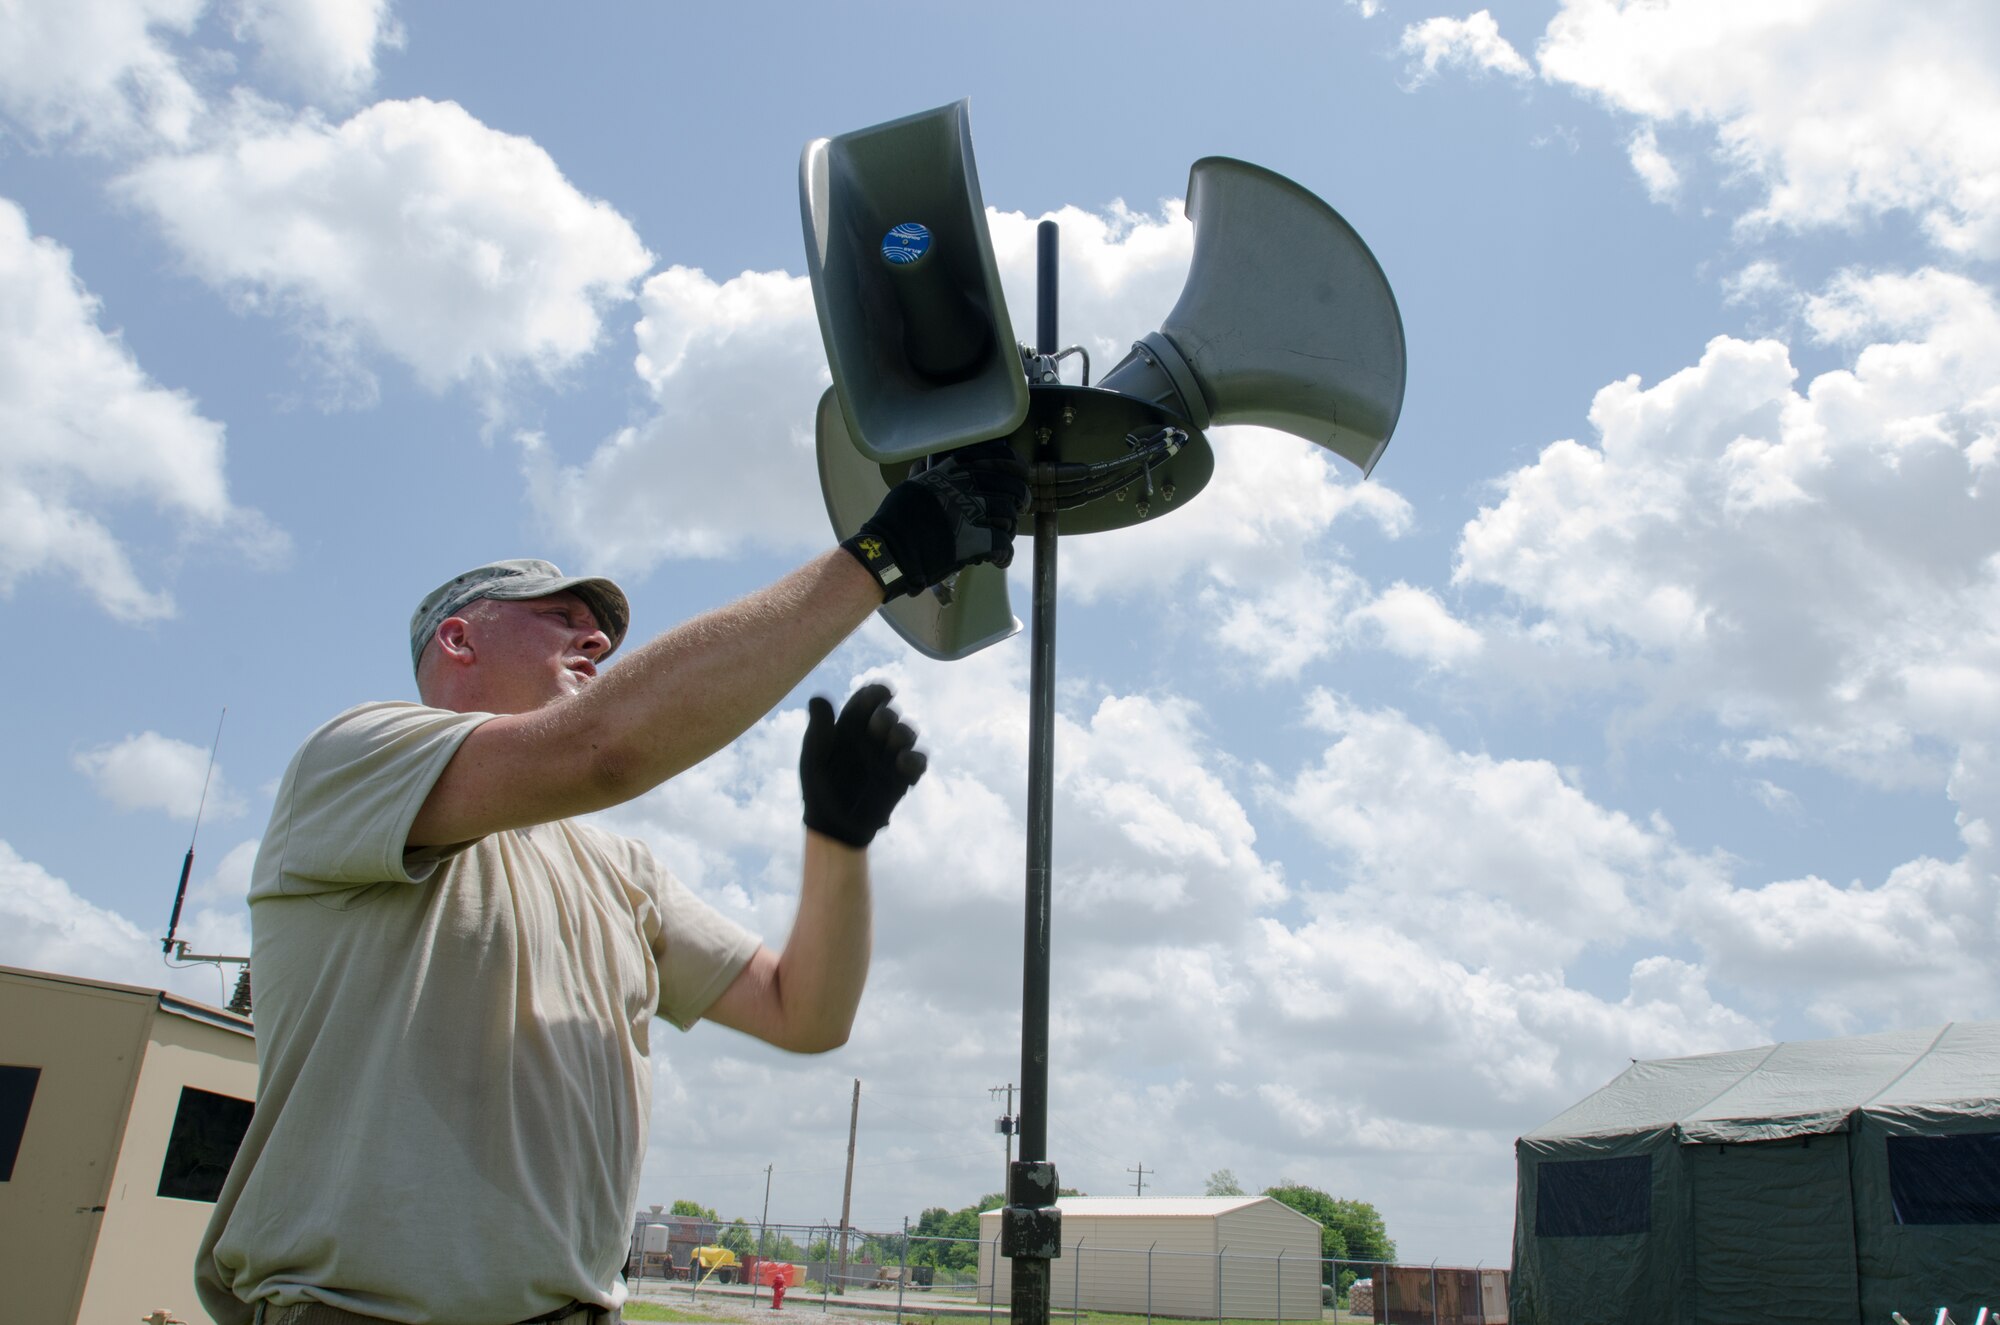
x=121, y=1112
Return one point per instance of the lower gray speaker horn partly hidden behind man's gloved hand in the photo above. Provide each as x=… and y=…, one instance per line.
x=975, y=609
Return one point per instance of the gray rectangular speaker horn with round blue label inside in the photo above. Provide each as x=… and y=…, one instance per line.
x=903, y=275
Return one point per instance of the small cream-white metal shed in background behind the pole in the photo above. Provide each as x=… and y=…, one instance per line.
x=1161, y=1256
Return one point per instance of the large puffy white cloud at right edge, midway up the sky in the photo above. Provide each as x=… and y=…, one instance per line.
x=1815, y=565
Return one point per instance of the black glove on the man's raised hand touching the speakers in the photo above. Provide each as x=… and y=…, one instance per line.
x=955, y=513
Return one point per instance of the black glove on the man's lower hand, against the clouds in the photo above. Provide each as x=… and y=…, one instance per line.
x=855, y=770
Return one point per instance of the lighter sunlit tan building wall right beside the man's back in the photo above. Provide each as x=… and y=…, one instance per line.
x=147, y=1244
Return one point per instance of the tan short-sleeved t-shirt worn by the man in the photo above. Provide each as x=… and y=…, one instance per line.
x=453, y=1078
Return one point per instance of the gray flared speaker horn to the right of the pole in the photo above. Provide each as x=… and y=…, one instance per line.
x=1285, y=321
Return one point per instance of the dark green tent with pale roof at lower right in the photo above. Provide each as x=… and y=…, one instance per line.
x=1815, y=1182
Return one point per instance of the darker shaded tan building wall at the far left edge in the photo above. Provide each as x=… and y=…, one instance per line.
x=89, y=1044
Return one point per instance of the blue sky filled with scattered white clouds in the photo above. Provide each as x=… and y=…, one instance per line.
x=1643, y=704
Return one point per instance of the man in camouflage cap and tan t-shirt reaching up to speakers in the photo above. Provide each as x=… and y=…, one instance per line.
x=457, y=978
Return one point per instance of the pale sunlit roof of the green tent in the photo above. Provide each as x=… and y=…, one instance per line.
x=1809, y=1086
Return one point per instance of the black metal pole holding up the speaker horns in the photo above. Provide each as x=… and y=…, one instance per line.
x=1035, y=1232
